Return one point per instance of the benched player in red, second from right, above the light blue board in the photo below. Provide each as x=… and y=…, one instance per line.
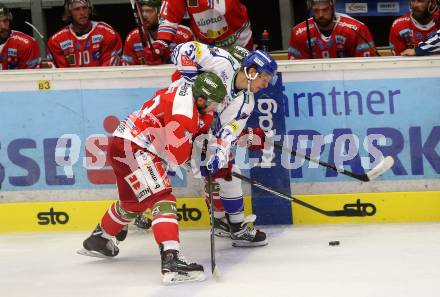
x=329, y=35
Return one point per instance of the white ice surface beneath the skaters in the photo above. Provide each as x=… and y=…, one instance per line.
x=372, y=260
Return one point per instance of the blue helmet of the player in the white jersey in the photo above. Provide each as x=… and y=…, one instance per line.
x=263, y=62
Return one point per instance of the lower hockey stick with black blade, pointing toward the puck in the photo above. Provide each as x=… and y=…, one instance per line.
x=346, y=212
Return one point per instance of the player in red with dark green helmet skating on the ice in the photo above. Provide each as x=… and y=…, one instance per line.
x=160, y=133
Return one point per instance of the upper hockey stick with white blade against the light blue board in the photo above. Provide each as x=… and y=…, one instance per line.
x=378, y=170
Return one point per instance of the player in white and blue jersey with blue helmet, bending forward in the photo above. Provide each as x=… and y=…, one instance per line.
x=242, y=79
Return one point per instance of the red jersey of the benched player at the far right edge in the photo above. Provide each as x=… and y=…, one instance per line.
x=406, y=33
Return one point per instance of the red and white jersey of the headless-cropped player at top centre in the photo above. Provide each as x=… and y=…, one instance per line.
x=222, y=23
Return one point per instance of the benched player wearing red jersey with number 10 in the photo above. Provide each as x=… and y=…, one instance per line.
x=84, y=43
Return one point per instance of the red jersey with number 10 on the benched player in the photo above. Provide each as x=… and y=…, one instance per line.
x=102, y=46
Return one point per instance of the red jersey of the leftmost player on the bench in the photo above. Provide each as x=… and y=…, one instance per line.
x=20, y=51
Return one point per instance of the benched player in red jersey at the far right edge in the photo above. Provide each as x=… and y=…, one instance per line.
x=414, y=27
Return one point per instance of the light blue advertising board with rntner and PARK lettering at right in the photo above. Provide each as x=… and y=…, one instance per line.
x=401, y=114
